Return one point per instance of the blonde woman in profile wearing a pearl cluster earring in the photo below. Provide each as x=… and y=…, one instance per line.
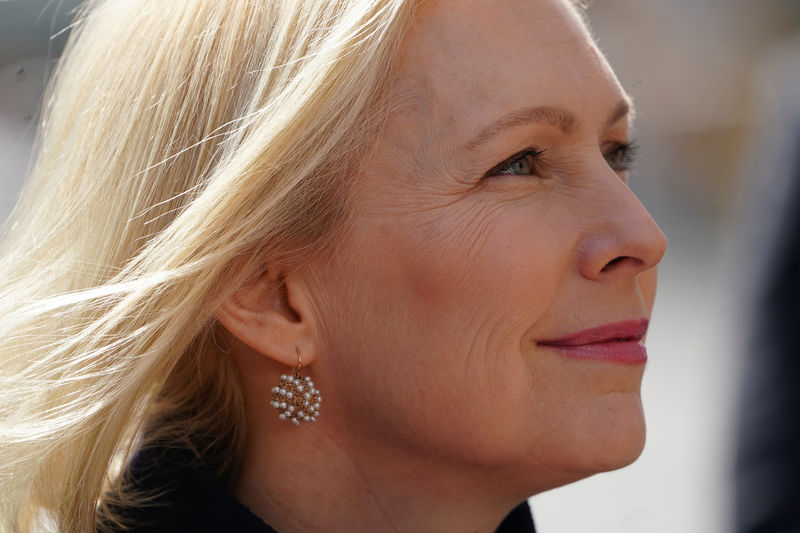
x=422, y=206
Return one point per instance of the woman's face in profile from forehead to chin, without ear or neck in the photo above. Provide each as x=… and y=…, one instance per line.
x=493, y=215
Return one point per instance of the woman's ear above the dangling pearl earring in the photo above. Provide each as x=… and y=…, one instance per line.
x=271, y=314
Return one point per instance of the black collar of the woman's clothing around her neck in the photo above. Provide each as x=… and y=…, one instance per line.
x=192, y=501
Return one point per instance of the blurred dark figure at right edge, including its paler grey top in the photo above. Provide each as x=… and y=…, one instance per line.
x=767, y=475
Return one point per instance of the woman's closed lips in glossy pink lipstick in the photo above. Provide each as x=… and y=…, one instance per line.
x=620, y=342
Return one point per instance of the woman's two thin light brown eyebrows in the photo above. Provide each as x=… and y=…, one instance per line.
x=564, y=120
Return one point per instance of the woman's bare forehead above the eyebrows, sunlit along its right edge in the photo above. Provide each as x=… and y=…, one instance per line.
x=465, y=62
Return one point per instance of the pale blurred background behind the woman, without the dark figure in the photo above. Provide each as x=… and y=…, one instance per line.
x=712, y=81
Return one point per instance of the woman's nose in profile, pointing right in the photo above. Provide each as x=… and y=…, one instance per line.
x=622, y=239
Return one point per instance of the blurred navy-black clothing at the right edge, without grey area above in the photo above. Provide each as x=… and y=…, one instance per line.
x=768, y=451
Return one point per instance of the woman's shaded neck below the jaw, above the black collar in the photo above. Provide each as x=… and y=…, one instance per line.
x=311, y=478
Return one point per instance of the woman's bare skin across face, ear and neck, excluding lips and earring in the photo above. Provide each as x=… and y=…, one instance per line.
x=441, y=411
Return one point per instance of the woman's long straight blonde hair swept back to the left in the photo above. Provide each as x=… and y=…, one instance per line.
x=182, y=144
